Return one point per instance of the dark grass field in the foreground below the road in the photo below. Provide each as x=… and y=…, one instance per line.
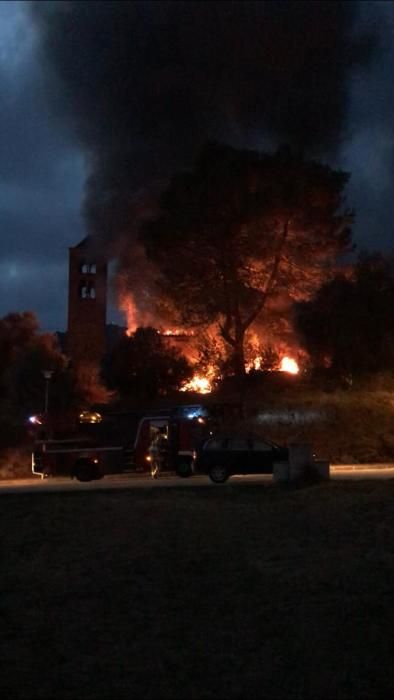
x=230, y=592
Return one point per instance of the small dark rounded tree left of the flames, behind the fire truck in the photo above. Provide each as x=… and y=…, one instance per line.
x=143, y=365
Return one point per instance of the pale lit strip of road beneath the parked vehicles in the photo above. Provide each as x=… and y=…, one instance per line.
x=37, y=485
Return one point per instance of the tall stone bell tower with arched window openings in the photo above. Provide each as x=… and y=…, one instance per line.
x=87, y=305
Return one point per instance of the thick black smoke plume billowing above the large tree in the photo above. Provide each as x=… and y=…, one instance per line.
x=143, y=84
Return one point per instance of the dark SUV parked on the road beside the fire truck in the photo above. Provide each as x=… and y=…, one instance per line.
x=220, y=457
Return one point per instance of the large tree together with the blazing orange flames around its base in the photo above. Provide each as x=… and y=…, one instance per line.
x=232, y=246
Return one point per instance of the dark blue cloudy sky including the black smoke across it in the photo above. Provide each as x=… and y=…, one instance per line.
x=101, y=101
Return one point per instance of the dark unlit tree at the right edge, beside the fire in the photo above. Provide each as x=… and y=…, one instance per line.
x=349, y=323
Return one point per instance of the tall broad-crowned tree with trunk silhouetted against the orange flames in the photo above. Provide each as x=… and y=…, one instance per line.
x=242, y=228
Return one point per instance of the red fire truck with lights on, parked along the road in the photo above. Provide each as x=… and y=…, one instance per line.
x=119, y=443
